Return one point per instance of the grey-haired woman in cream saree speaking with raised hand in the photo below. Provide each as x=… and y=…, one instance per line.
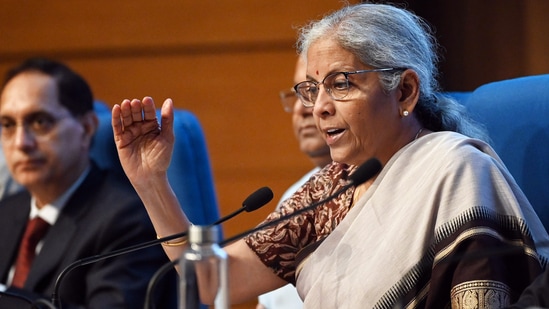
x=442, y=225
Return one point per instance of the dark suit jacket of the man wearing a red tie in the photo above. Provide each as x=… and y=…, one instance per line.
x=104, y=214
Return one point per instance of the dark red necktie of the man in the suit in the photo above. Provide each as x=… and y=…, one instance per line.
x=36, y=229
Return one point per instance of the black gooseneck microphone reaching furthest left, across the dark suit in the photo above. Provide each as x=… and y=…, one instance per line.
x=254, y=201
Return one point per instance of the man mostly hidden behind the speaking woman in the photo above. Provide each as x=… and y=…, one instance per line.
x=313, y=145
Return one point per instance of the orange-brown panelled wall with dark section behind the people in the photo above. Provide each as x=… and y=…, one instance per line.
x=226, y=61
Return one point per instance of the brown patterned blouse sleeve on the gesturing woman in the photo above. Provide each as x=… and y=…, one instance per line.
x=278, y=246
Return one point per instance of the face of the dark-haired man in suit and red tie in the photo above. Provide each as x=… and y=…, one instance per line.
x=43, y=143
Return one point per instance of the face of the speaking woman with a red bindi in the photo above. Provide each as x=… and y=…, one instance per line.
x=367, y=122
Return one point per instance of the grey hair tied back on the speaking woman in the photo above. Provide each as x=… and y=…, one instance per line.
x=385, y=36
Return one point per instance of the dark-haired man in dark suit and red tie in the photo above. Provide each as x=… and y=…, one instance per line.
x=47, y=125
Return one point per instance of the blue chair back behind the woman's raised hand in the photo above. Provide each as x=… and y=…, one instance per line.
x=189, y=173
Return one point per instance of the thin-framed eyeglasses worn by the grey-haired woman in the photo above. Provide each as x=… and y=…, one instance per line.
x=336, y=85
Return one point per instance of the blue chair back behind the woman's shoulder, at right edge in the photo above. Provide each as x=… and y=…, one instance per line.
x=516, y=114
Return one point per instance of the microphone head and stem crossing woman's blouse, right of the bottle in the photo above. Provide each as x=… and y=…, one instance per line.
x=362, y=174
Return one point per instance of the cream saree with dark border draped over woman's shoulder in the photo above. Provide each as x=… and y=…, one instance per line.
x=444, y=225
